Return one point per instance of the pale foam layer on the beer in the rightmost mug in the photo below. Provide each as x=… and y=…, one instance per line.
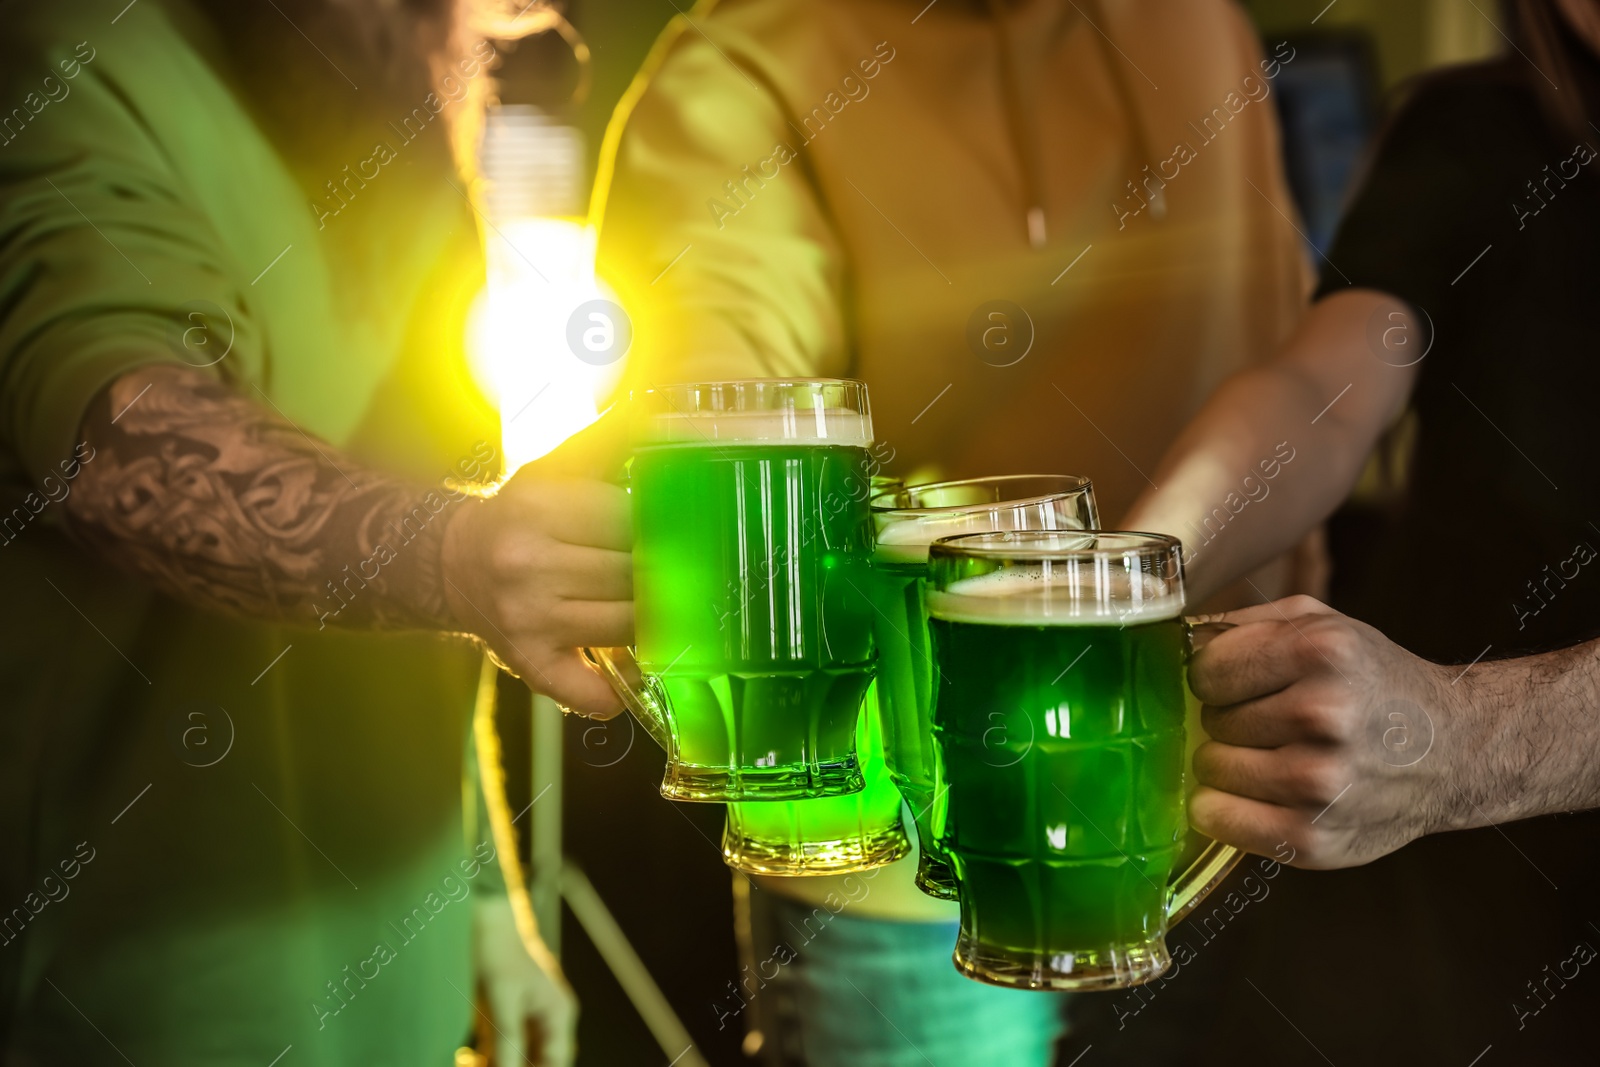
x=1068, y=593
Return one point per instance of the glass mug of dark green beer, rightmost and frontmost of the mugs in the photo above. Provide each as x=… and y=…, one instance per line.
x=1060, y=733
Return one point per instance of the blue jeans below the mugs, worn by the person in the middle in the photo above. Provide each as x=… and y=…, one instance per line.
x=871, y=993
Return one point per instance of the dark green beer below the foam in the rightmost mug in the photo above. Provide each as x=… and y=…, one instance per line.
x=1094, y=757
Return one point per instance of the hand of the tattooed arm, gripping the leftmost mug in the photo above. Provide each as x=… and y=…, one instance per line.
x=545, y=569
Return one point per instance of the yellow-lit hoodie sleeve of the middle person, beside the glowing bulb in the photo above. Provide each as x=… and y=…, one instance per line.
x=711, y=225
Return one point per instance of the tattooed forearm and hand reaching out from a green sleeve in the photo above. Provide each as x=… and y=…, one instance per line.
x=222, y=503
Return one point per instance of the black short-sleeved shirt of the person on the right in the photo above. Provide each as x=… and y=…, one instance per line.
x=1482, y=217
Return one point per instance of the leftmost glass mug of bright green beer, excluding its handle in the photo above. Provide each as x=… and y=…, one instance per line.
x=751, y=561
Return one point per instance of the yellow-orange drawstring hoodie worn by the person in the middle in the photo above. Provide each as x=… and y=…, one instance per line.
x=842, y=188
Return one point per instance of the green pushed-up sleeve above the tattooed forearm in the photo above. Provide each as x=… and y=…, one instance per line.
x=105, y=262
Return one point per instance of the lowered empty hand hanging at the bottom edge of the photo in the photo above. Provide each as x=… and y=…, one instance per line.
x=532, y=1009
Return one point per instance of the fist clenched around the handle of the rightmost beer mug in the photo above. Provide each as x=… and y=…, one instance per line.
x=1324, y=735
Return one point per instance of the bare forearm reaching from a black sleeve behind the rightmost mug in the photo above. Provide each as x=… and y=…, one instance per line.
x=1278, y=449
